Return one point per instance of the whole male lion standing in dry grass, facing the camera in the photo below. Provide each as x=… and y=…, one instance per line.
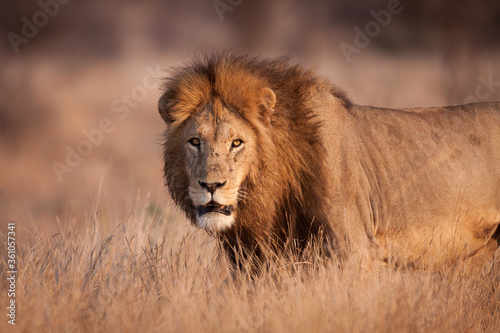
x=261, y=152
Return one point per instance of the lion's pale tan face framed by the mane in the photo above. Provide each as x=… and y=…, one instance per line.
x=218, y=156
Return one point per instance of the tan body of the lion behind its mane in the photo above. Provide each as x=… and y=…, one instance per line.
x=420, y=186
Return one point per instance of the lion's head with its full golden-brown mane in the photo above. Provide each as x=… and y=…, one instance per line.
x=235, y=154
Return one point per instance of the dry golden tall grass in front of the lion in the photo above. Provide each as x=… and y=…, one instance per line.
x=152, y=273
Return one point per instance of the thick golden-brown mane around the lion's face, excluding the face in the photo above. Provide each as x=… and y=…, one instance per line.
x=286, y=189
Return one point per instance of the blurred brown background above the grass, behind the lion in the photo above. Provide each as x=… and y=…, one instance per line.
x=79, y=128
